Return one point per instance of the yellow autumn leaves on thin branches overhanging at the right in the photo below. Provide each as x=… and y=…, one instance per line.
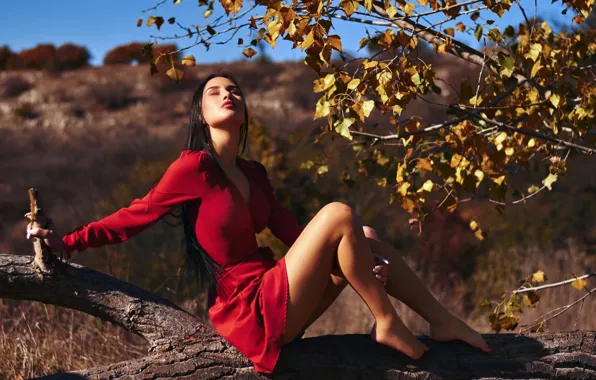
x=531, y=108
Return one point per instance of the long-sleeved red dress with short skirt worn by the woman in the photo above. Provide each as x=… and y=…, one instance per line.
x=249, y=309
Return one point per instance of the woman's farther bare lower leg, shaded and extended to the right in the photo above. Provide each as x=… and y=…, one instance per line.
x=404, y=284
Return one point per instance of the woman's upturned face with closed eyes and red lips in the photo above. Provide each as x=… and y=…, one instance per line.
x=223, y=104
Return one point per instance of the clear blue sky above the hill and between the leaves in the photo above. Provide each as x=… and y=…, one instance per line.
x=101, y=25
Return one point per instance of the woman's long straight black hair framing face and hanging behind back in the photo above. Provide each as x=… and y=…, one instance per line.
x=198, y=264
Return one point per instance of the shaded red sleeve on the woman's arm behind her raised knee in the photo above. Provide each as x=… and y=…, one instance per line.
x=282, y=223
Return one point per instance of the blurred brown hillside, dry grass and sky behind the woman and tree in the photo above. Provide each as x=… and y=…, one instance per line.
x=82, y=120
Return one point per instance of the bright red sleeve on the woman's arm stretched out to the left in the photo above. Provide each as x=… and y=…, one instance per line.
x=184, y=180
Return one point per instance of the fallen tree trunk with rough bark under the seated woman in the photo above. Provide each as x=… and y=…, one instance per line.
x=182, y=346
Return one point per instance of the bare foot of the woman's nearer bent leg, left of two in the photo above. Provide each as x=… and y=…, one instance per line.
x=397, y=335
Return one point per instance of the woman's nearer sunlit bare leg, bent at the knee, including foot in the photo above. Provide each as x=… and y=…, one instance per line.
x=336, y=233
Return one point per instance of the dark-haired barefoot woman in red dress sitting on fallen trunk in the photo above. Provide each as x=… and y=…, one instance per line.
x=257, y=303
